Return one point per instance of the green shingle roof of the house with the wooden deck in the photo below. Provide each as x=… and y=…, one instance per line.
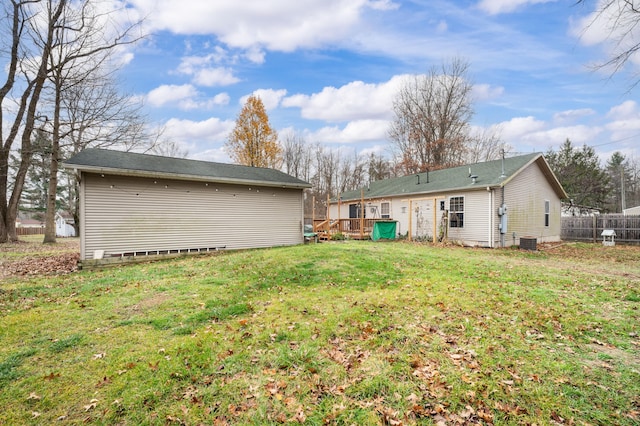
x=489, y=174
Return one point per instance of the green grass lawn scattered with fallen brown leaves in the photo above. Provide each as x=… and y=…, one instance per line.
x=333, y=333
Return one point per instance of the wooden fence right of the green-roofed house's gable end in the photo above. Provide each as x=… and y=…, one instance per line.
x=589, y=228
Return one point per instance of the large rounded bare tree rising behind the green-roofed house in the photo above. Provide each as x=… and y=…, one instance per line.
x=430, y=129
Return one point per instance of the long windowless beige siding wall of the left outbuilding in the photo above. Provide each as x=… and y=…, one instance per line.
x=130, y=214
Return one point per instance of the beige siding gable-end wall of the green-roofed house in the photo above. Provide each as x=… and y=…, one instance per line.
x=525, y=197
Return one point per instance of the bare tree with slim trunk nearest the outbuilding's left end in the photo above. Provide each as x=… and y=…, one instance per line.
x=77, y=55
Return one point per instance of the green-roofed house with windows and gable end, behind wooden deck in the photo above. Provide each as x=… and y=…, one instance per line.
x=489, y=204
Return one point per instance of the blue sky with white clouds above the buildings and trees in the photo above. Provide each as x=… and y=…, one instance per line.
x=328, y=70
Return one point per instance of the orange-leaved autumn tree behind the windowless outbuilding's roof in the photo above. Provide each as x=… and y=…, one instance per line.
x=253, y=142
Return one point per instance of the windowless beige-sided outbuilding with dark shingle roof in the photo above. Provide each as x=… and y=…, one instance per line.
x=139, y=205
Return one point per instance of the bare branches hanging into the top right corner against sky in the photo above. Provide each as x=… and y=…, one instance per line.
x=621, y=19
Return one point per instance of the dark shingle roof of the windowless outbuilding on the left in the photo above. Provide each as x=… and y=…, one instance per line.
x=134, y=164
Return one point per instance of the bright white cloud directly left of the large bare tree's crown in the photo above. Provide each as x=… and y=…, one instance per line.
x=354, y=101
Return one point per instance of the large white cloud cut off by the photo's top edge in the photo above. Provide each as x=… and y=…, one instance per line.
x=283, y=25
